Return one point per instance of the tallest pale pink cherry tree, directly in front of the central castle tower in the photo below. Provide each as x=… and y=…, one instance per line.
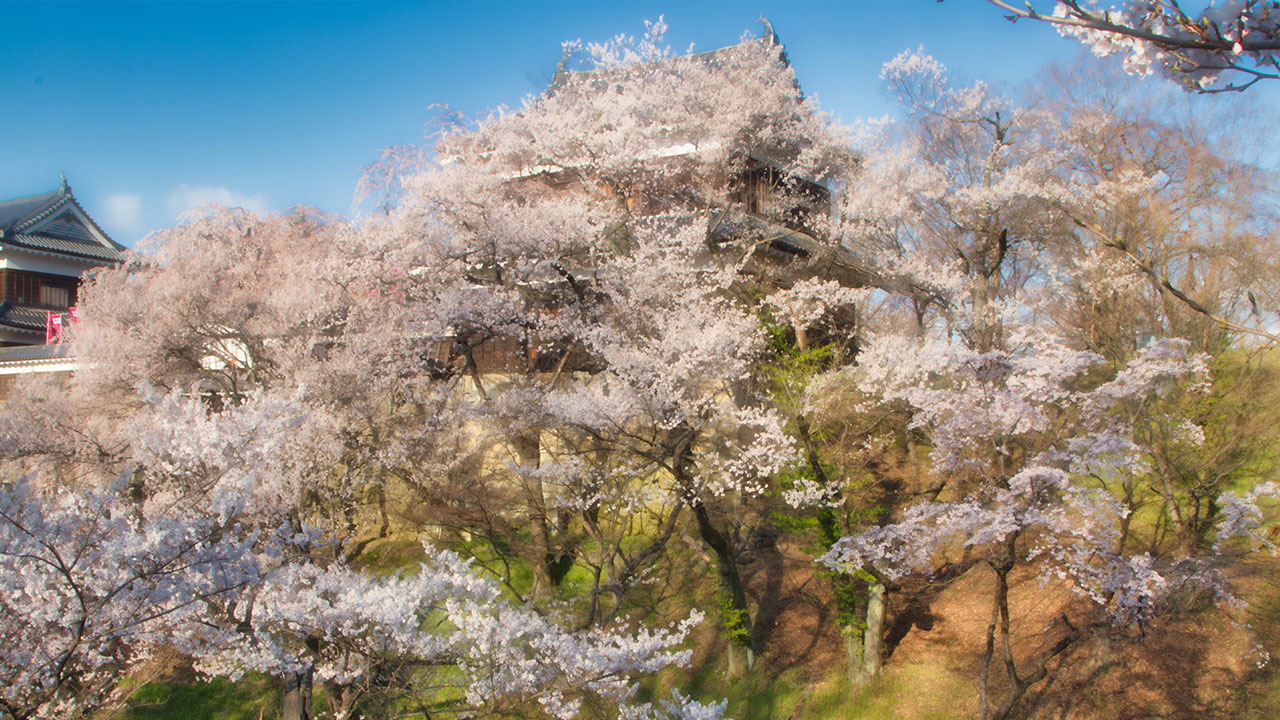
x=593, y=229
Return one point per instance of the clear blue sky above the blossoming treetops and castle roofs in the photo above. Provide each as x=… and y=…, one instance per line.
x=150, y=108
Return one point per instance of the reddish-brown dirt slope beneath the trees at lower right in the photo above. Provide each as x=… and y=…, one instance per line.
x=1200, y=666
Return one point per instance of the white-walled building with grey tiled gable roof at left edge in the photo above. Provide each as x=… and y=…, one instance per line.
x=47, y=243
